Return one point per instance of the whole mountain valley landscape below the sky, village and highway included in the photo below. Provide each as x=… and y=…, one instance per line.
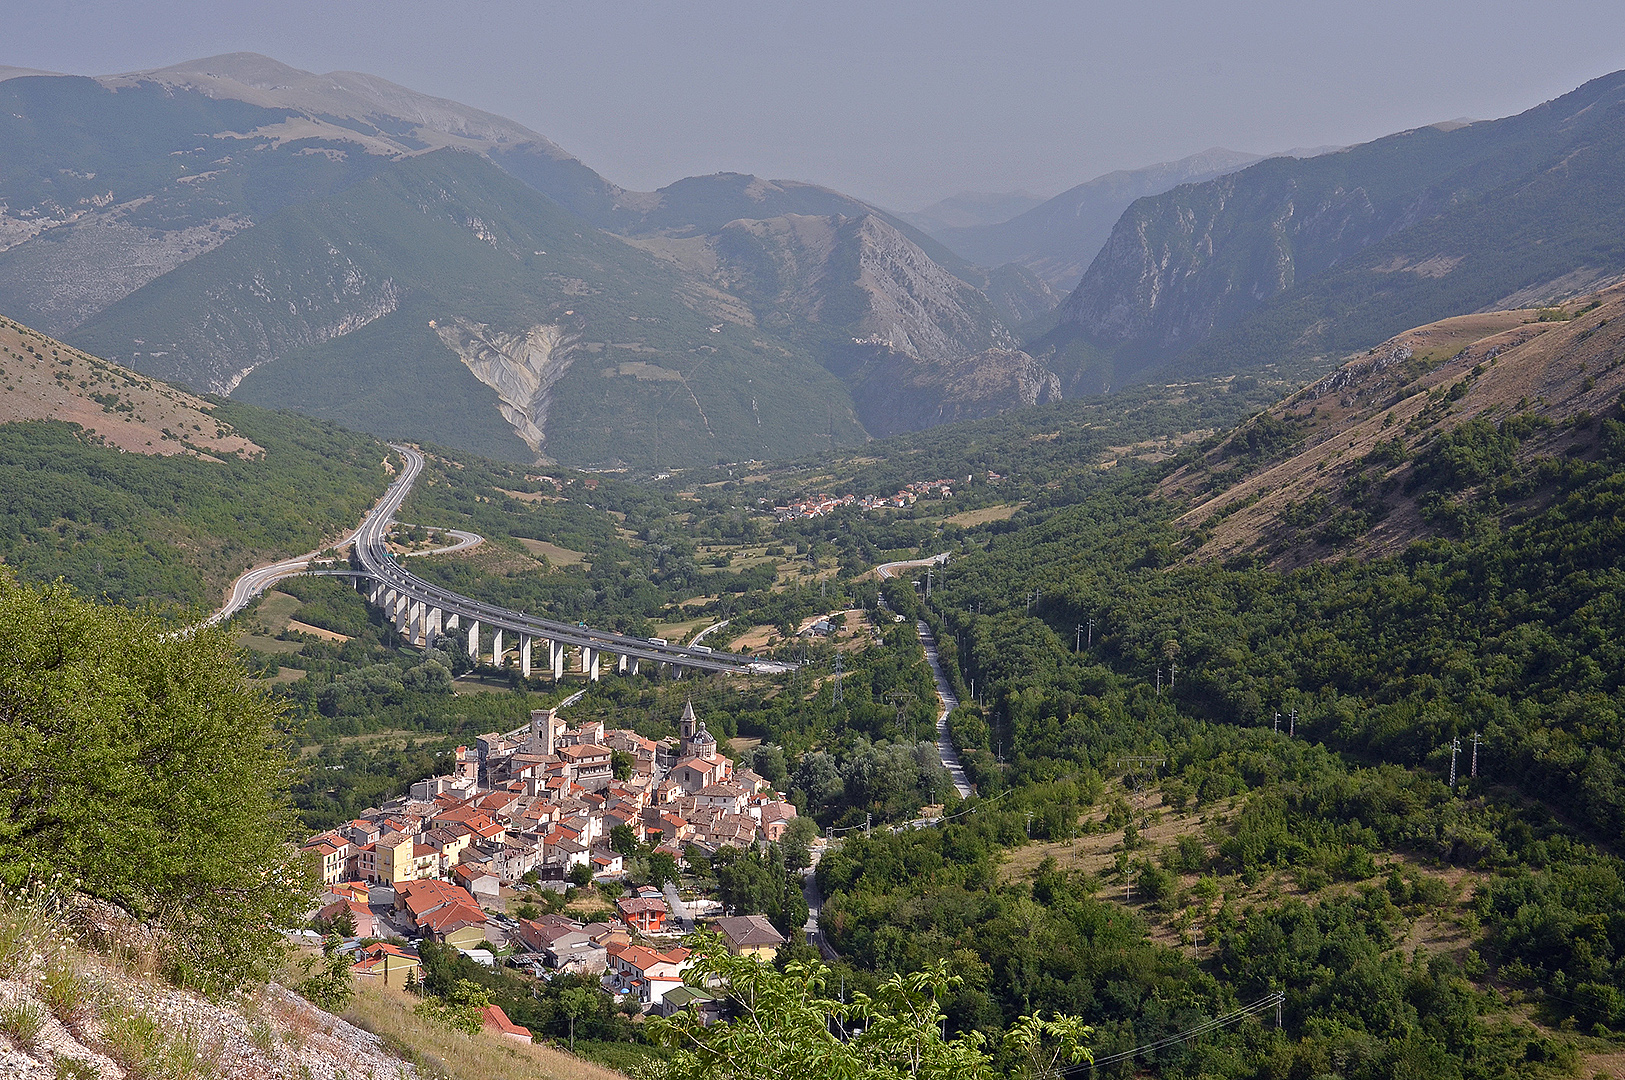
x=1216, y=667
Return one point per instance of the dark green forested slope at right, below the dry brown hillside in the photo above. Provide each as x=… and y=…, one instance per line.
x=1317, y=862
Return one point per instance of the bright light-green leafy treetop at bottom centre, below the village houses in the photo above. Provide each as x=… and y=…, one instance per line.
x=782, y=1027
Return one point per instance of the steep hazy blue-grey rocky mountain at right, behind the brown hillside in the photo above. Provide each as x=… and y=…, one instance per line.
x=1298, y=259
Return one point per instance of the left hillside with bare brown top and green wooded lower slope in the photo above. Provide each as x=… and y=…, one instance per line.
x=141, y=493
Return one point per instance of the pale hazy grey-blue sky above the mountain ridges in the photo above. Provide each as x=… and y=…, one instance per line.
x=898, y=103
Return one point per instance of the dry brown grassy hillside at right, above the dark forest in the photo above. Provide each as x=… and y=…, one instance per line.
x=1431, y=431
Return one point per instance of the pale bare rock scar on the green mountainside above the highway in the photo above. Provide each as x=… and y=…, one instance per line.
x=522, y=368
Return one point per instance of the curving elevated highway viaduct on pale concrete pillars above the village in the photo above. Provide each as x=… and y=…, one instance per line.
x=423, y=611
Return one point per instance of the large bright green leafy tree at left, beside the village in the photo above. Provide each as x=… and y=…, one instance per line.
x=141, y=764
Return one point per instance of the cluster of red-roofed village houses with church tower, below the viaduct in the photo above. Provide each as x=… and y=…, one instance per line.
x=537, y=810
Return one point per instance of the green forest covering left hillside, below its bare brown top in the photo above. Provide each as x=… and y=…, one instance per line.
x=176, y=530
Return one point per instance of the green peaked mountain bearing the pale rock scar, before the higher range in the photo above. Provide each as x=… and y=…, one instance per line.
x=446, y=301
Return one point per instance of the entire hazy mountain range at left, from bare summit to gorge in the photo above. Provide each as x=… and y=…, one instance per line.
x=414, y=267
